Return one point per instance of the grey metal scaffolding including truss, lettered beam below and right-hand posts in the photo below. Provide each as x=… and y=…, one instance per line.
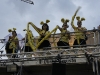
x=89, y=54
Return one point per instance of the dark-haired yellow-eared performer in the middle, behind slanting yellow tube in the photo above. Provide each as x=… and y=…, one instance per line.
x=43, y=32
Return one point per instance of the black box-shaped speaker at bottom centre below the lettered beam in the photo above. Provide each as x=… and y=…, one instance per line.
x=58, y=69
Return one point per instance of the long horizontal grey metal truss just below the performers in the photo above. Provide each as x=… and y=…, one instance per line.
x=53, y=54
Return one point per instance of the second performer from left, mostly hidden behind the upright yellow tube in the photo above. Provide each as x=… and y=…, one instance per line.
x=27, y=47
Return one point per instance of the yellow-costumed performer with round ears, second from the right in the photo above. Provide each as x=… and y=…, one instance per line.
x=65, y=36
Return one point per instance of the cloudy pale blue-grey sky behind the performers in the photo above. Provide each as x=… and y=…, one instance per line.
x=16, y=14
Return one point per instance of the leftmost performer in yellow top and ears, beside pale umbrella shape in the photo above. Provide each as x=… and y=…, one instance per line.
x=12, y=46
